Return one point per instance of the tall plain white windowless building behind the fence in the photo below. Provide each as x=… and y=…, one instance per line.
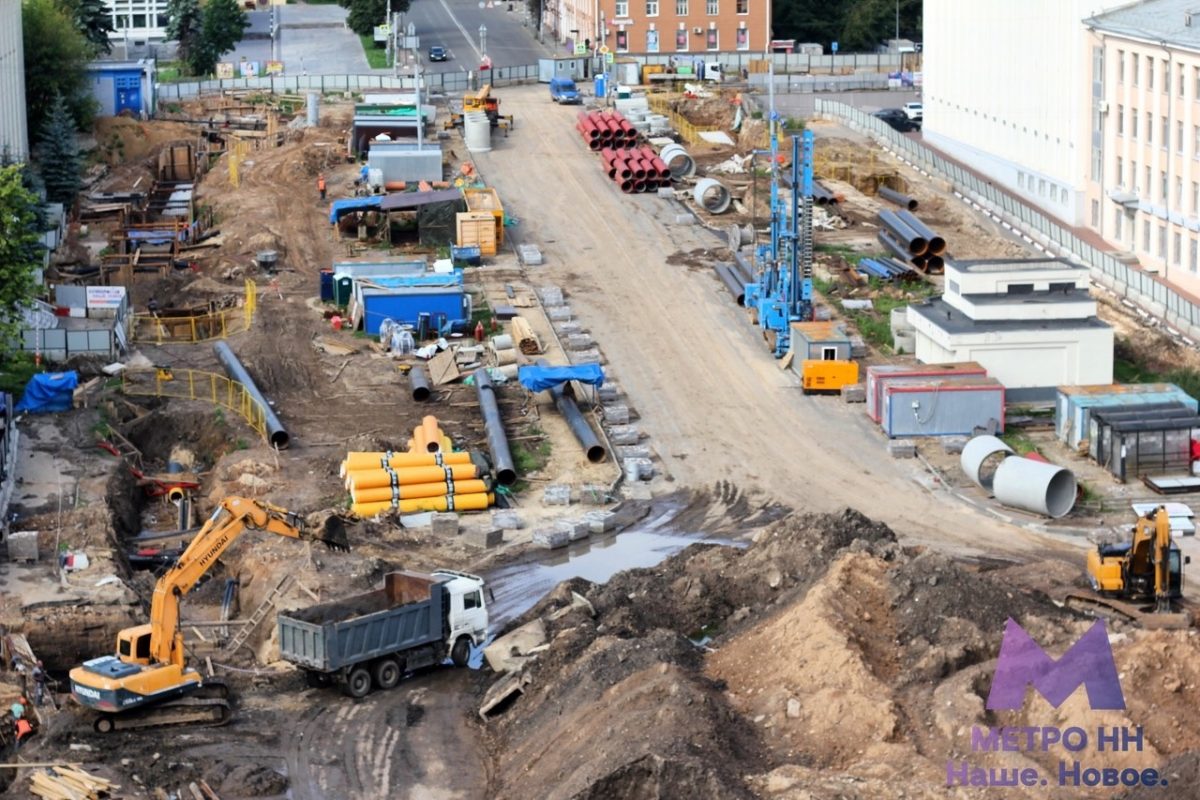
x=1006, y=92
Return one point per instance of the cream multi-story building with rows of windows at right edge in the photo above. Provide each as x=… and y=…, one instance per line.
x=1143, y=172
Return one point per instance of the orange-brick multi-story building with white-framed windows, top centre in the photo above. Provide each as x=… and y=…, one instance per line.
x=682, y=27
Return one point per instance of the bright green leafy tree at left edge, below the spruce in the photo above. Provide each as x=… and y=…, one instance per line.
x=21, y=249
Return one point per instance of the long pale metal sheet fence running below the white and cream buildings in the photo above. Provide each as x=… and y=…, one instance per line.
x=1147, y=291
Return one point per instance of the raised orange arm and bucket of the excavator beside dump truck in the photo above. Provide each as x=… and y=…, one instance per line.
x=232, y=519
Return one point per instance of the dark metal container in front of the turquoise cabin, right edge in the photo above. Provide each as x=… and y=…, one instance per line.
x=1133, y=443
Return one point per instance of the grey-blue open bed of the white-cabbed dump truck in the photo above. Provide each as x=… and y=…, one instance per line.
x=409, y=612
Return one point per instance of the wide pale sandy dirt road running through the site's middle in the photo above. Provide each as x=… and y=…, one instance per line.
x=715, y=401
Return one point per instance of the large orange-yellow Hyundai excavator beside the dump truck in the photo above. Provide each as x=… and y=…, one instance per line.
x=148, y=684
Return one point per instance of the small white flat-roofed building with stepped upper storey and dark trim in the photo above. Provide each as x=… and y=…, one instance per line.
x=1031, y=323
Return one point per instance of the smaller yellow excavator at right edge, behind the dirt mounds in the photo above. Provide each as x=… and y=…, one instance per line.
x=1139, y=580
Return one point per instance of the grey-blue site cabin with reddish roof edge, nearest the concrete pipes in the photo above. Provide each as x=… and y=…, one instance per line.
x=943, y=407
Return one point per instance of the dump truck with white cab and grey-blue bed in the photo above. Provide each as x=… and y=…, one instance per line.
x=369, y=641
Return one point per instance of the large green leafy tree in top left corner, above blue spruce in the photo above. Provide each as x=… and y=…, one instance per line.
x=57, y=57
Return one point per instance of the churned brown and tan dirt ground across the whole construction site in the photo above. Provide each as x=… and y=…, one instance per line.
x=796, y=616
